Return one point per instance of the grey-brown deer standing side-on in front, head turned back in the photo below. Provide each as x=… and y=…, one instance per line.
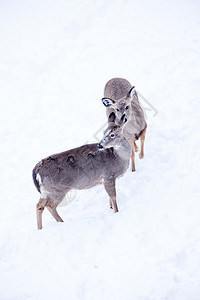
x=83, y=168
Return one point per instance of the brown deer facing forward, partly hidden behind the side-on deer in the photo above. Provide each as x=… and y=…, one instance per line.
x=121, y=98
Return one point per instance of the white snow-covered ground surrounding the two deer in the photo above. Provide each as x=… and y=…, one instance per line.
x=55, y=58
